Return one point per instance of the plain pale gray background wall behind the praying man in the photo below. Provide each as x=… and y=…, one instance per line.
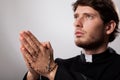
x=49, y=20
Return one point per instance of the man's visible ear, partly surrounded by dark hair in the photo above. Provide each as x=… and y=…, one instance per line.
x=110, y=27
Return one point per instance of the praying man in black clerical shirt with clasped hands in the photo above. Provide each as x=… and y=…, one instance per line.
x=96, y=25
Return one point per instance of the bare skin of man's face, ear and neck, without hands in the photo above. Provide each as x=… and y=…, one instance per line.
x=90, y=32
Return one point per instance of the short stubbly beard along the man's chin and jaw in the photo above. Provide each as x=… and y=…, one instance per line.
x=90, y=43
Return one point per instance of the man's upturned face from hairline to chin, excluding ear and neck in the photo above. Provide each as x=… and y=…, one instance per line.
x=89, y=28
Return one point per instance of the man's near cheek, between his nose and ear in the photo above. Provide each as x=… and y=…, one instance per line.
x=94, y=28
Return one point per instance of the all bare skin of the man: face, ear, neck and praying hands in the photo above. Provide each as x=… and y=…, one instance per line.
x=90, y=34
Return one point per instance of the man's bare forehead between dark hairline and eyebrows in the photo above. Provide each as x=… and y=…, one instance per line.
x=86, y=9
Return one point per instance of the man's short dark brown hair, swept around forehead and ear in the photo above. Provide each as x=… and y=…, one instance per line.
x=106, y=9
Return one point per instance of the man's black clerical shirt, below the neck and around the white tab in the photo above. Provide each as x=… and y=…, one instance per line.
x=104, y=66
